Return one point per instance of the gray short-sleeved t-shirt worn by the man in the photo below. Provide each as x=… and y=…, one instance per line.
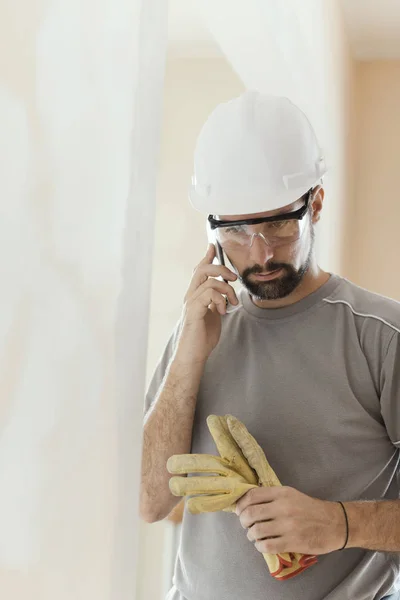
x=318, y=385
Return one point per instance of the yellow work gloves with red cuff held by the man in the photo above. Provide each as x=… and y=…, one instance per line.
x=242, y=466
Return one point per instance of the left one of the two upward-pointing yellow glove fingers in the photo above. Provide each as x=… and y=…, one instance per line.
x=229, y=449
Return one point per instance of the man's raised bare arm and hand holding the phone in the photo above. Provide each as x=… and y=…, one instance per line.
x=169, y=419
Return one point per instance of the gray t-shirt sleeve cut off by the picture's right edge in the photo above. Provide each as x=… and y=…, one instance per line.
x=390, y=389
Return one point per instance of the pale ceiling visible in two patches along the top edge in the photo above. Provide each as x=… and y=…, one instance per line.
x=373, y=27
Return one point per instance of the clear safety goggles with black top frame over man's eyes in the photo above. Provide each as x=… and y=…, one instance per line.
x=276, y=231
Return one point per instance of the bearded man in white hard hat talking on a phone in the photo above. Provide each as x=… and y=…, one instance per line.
x=308, y=361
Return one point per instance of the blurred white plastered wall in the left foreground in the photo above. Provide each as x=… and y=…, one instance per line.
x=72, y=84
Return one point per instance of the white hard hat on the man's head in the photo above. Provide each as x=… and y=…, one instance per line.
x=255, y=153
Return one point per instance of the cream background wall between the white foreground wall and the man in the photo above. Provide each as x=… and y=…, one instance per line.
x=193, y=87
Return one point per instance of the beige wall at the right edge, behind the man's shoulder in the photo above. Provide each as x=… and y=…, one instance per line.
x=374, y=243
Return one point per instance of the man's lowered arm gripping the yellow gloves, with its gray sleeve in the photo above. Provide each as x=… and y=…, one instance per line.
x=286, y=520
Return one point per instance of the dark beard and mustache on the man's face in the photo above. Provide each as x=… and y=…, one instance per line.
x=283, y=285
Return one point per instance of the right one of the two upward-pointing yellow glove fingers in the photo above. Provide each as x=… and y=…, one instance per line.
x=253, y=452
